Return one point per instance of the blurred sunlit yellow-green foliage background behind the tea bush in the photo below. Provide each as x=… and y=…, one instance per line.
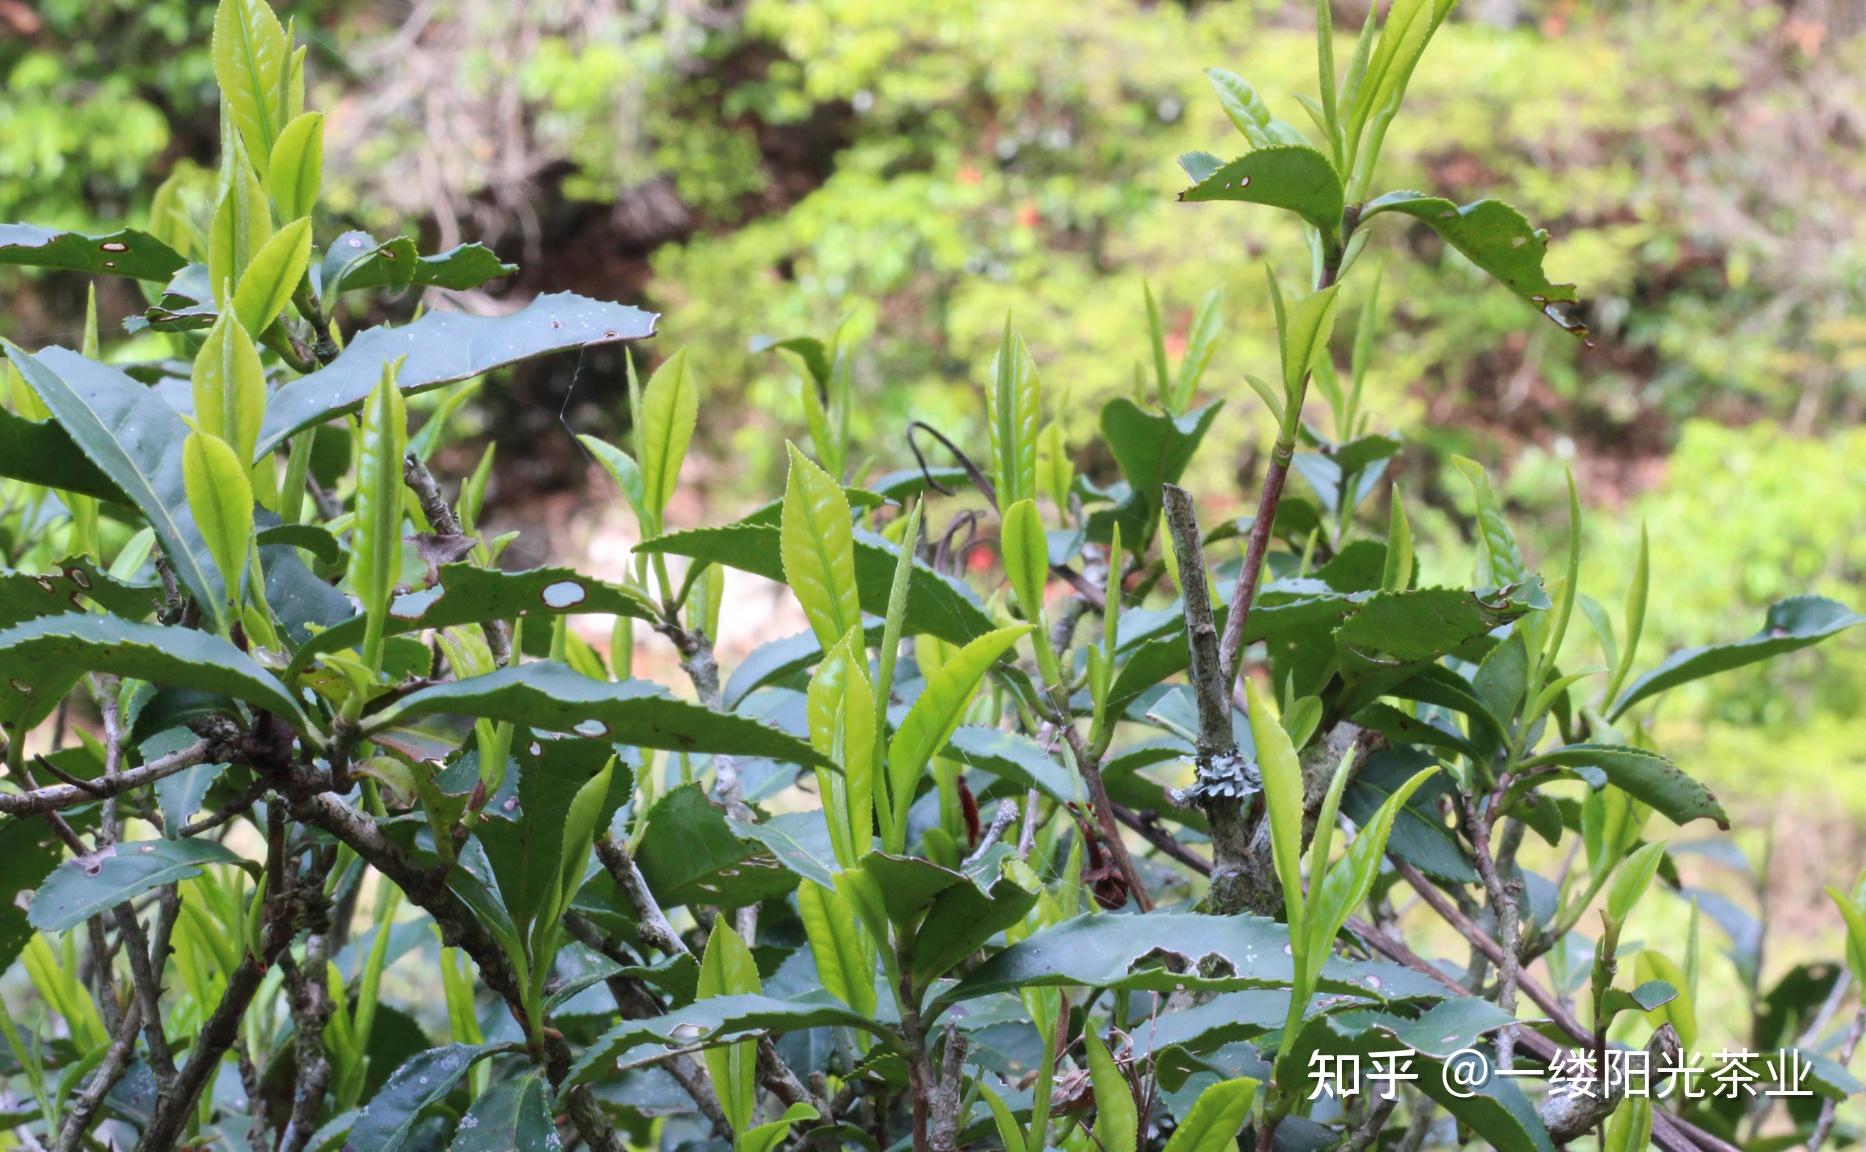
x=764, y=167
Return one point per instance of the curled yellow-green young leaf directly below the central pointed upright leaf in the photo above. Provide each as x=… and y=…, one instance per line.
x=841, y=712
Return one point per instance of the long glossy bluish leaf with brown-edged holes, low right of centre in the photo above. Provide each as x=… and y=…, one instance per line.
x=1167, y=951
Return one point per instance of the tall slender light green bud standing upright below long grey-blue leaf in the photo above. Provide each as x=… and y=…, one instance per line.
x=376, y=542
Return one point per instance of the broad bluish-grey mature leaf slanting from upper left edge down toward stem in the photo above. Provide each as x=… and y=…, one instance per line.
x=135, y=440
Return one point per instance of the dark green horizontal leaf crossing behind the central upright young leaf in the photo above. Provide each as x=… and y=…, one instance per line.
x=936, y=604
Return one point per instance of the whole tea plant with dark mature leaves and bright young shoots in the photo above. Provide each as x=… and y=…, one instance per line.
x=283, y=733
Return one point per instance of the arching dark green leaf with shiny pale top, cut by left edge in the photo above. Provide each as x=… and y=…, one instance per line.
x=44, y=658
